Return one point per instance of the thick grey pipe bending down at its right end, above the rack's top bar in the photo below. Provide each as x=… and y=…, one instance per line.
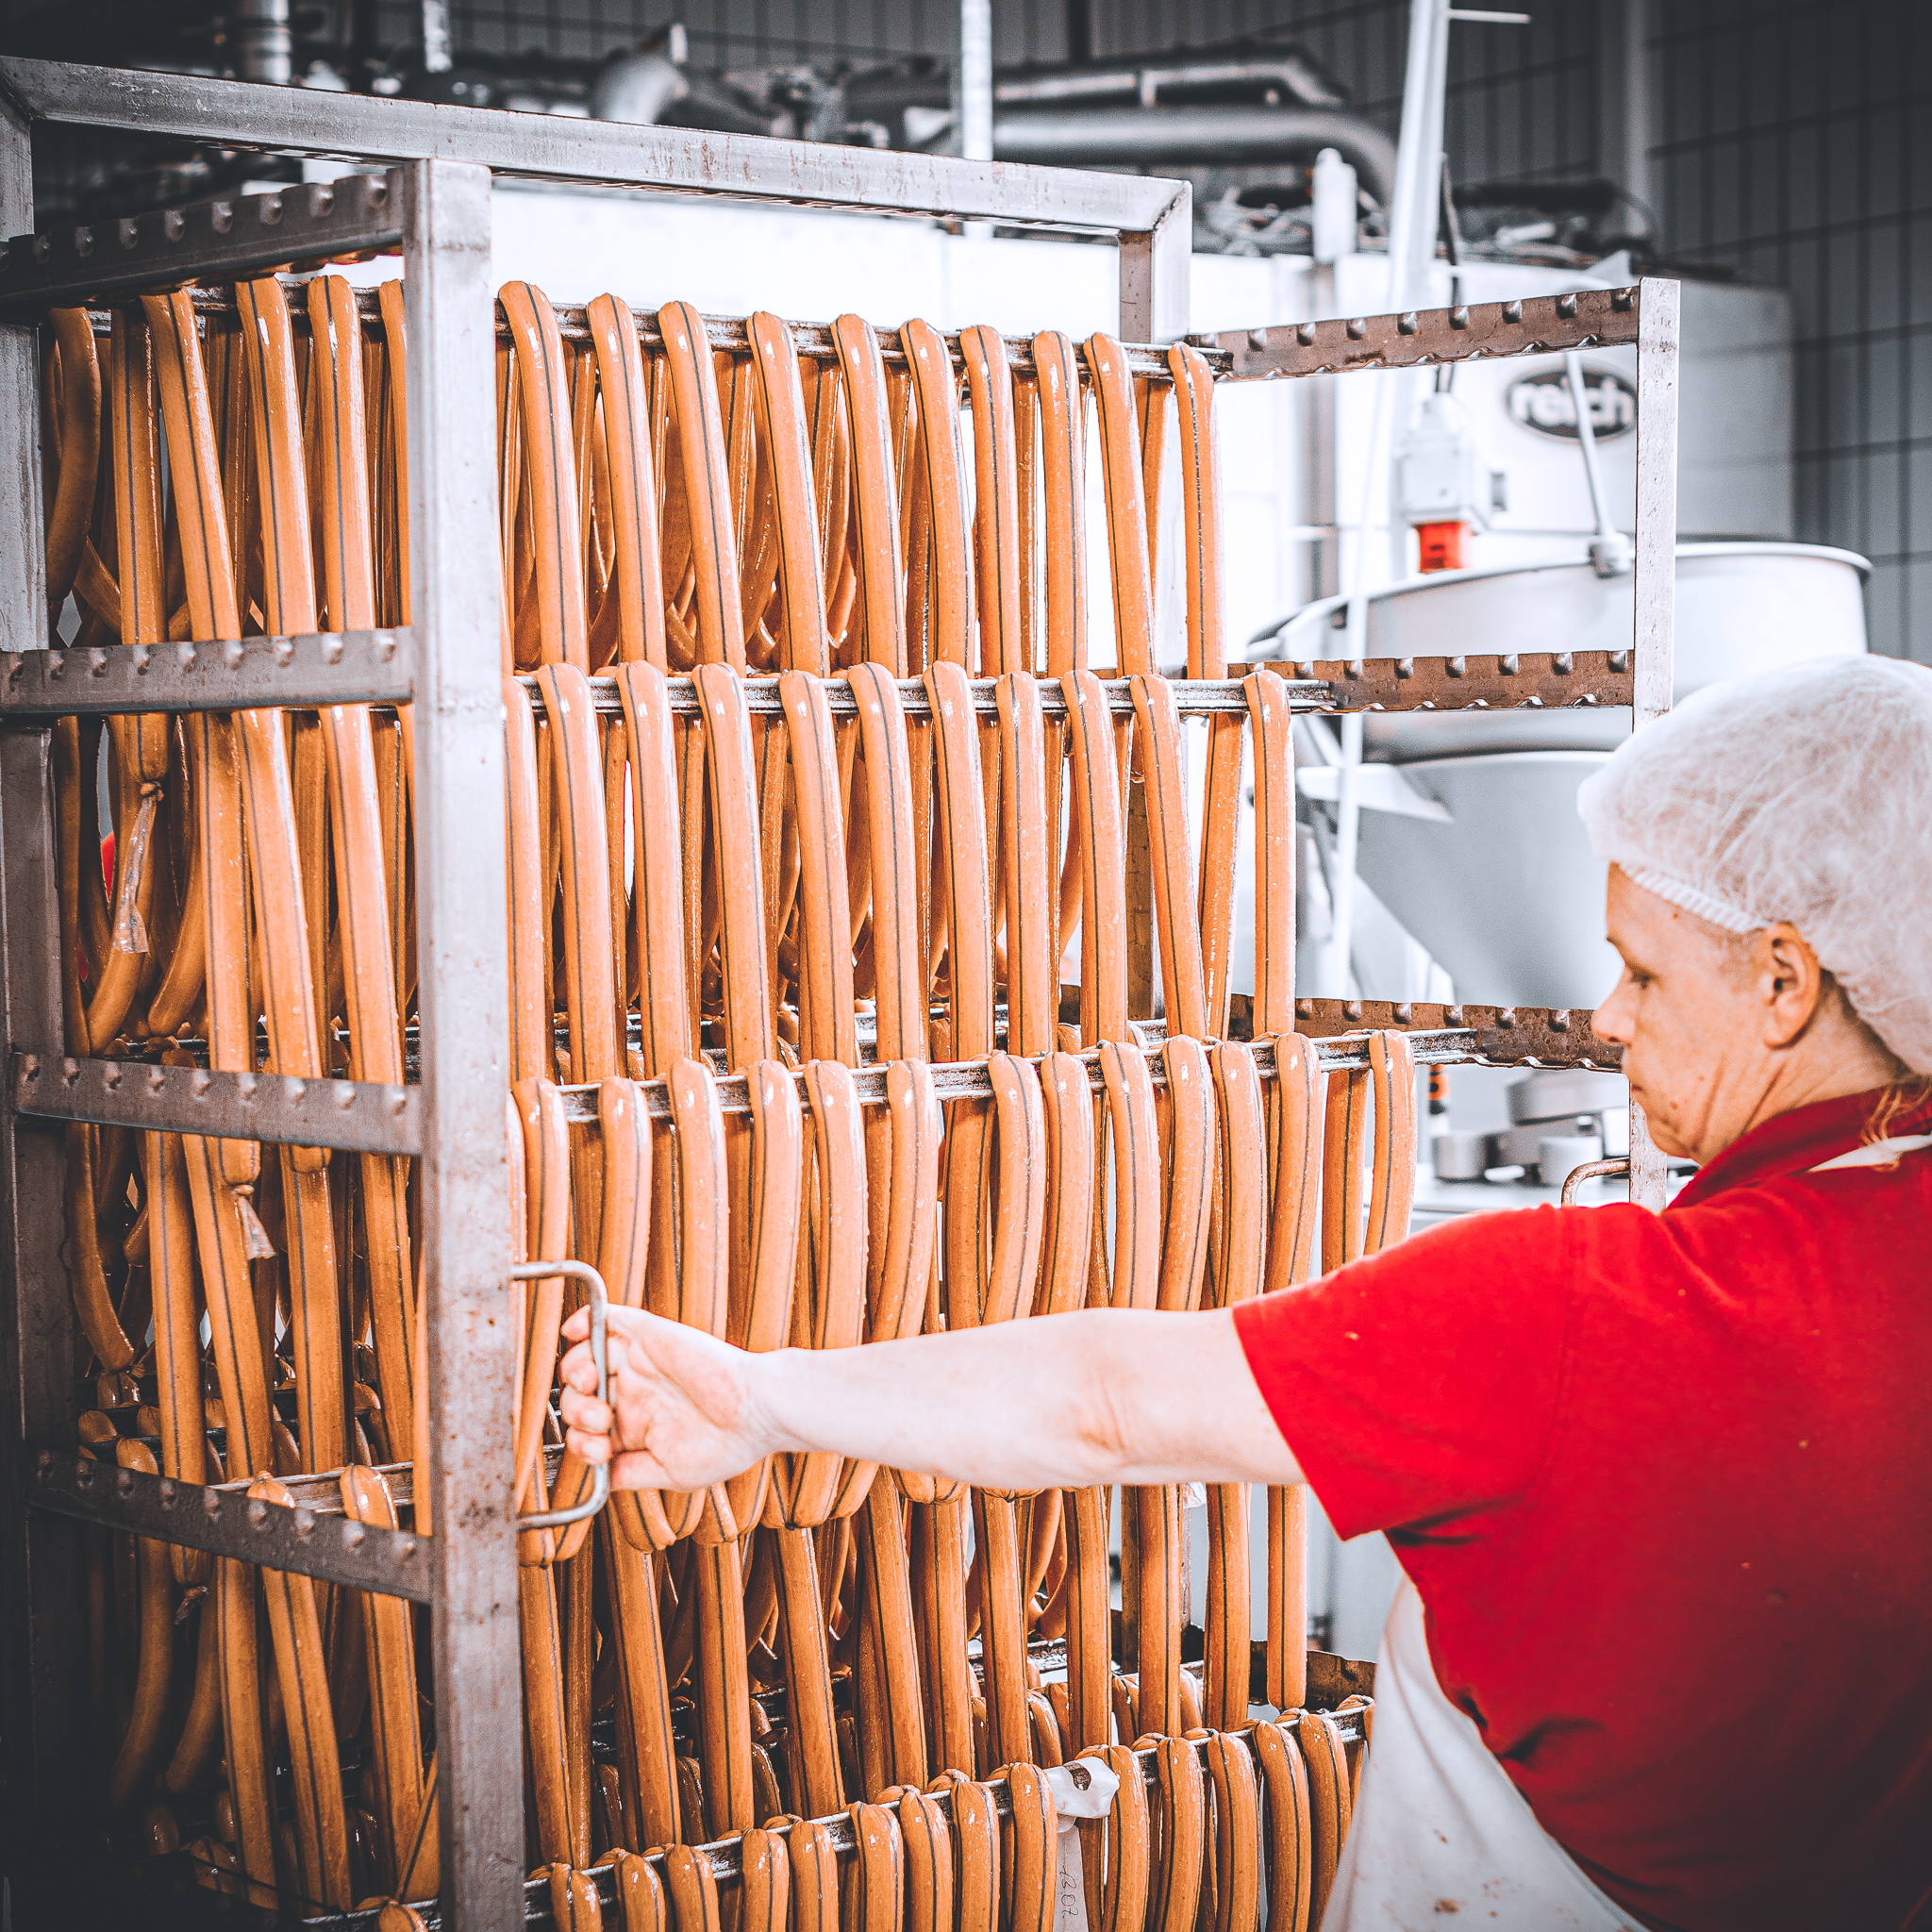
x=1197, y=138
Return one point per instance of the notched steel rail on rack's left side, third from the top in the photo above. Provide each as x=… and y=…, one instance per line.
x=194, y=1100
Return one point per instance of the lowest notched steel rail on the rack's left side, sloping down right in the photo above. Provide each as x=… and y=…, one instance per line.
x=223, y=1520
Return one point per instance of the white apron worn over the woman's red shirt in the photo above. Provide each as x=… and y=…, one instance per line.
x=1442, y=1831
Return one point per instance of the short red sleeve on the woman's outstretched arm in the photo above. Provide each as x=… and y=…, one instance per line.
x=1419, y=1388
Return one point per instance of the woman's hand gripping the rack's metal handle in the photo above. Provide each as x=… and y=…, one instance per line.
x=683, y=1406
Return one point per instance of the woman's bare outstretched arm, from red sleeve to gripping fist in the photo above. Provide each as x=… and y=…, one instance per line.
x=1062, y=1402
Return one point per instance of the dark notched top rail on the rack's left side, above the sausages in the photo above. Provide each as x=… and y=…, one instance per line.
x=217, y=241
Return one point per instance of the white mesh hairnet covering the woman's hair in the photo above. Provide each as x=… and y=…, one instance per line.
x=1800, y=795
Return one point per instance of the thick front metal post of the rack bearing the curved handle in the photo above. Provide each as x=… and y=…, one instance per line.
x=465, y=975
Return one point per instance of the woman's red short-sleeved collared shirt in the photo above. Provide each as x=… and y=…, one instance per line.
x=1664, y=1485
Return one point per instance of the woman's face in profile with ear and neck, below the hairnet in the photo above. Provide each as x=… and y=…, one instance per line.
x=1722, y=1031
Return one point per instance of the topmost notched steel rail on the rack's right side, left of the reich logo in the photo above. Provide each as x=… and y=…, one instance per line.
x=1591, y=318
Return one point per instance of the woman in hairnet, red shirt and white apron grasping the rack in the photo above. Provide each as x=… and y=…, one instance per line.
x=1662, y=1485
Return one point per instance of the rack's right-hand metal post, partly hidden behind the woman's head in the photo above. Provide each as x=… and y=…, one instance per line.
x=1657, y=584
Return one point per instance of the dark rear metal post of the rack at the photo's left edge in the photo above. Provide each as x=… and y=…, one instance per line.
x=42, y=1657
